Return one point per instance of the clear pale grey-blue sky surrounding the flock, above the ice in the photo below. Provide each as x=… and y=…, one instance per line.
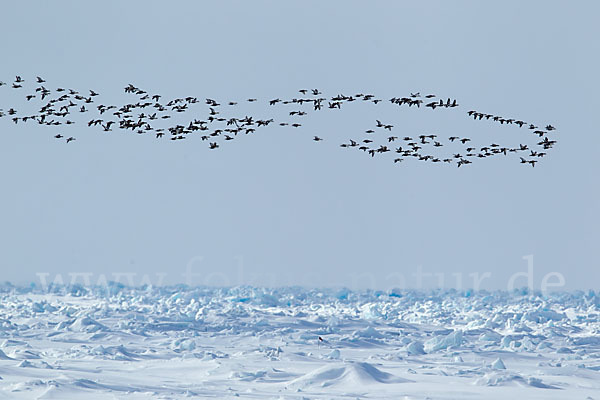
x=278, y=209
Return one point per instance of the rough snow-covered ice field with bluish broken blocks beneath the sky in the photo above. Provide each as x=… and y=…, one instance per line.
x=177, y=342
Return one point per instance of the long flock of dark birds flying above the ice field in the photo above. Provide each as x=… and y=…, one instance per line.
x=149, y=114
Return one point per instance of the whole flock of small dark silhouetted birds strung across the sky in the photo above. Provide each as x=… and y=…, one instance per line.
x=148, y=113
